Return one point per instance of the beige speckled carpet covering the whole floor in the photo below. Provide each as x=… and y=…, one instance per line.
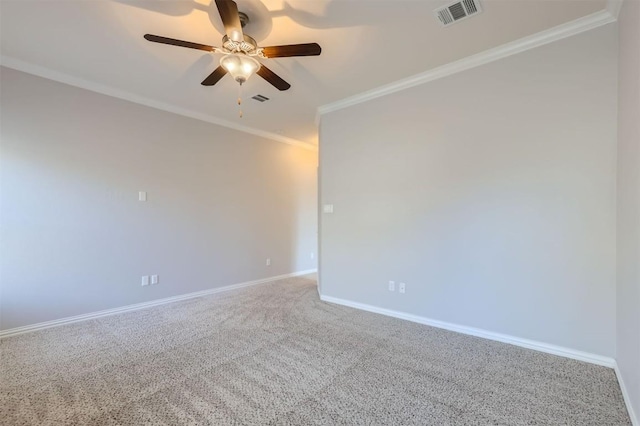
x=275, y=354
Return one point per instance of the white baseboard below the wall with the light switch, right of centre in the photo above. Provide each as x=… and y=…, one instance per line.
x=525, y=343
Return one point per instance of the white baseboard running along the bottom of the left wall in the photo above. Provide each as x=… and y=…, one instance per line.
x=93, y=315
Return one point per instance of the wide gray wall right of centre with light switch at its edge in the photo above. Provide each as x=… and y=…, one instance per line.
x=491, y=193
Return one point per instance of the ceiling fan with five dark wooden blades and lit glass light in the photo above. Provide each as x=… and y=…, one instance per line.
x=240, y=50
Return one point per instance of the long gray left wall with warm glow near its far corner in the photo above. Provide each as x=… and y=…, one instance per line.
x=75, y=239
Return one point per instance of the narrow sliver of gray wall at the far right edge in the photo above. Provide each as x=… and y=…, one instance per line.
x=628, y=347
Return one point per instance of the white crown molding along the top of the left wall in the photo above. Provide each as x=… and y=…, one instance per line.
x=60, y=77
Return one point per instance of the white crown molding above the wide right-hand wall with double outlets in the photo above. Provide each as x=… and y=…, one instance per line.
x=595, y=20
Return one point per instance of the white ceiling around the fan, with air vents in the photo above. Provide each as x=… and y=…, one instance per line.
x=366, y=44
